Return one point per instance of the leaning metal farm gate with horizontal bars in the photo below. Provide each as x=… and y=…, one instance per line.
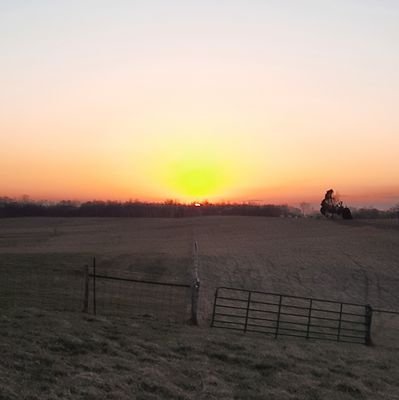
x=276, y=314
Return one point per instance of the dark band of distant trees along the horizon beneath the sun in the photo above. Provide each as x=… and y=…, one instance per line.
x=169, y=209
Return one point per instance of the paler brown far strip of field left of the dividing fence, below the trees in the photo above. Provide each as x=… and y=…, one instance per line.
x=96, y=235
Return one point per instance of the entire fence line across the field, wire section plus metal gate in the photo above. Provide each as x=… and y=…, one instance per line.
x=61, y=282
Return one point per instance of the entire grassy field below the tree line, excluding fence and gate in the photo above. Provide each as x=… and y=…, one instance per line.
x=80, y=356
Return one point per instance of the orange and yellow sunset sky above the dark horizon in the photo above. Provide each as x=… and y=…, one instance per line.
x=275, y=101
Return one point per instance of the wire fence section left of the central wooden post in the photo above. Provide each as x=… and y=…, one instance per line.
x=58, y=283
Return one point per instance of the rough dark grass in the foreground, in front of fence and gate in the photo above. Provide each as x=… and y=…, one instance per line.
x=51, y=355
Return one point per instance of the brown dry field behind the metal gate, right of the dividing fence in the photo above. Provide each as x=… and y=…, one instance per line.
x=346, y=261
